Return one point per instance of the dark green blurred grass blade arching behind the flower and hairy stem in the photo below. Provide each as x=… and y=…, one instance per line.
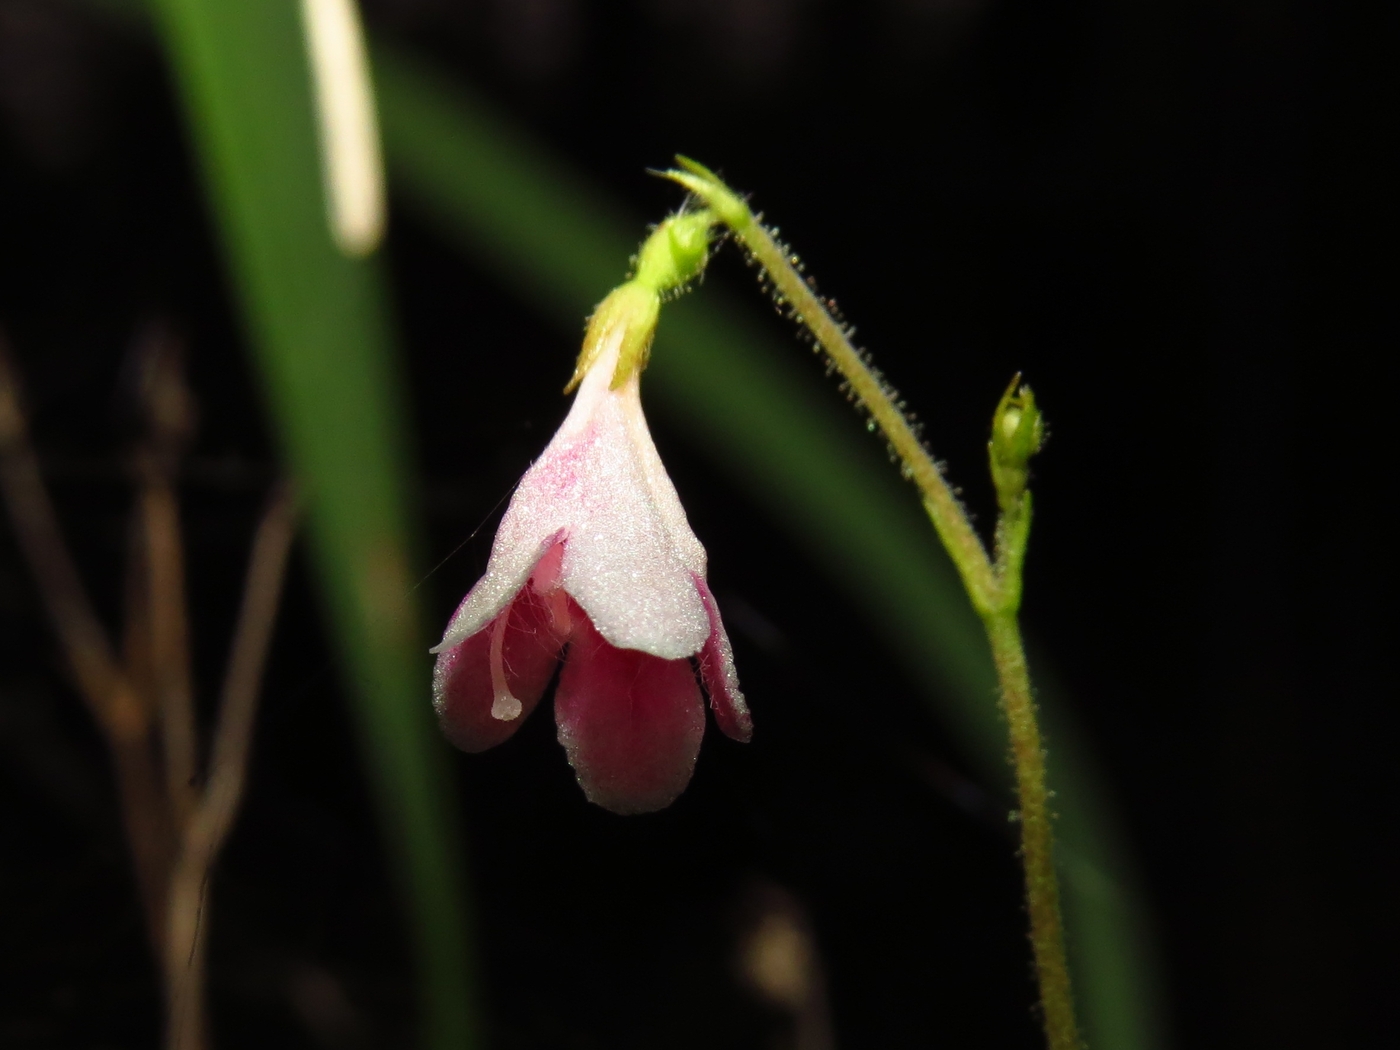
x=790, y=443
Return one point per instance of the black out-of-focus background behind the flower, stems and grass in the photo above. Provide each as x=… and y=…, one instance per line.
x=1170, y=216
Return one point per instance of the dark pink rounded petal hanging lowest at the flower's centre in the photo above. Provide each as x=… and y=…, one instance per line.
x=631, y=723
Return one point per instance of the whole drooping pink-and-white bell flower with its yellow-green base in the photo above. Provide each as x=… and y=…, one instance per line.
x=596, y=565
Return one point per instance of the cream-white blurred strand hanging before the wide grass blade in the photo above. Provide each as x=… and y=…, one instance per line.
x=352, y=163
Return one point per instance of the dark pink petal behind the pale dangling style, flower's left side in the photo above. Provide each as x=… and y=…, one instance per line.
x=463, y=688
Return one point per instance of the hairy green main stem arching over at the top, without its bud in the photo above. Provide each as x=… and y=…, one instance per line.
x=993, y=586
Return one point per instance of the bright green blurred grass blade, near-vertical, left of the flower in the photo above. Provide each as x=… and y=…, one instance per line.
x=318, y=323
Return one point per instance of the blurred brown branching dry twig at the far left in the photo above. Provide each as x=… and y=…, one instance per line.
x=145, y=702
